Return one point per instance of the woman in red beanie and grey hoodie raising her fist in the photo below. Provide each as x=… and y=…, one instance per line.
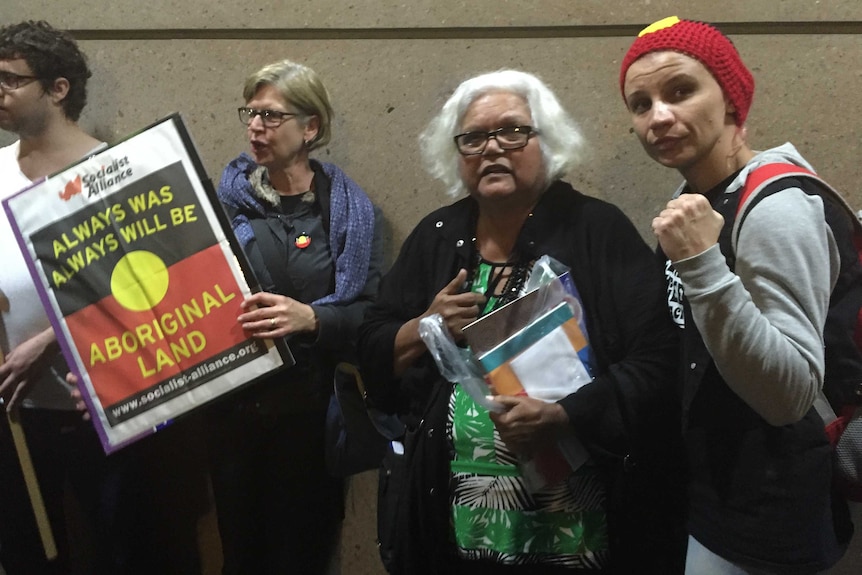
x=753, y=311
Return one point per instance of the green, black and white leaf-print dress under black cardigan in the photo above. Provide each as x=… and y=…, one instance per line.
x=495, y=517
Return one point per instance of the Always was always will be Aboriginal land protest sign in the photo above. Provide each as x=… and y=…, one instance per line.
x=142, y=280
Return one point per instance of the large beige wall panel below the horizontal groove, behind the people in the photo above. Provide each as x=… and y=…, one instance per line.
x=385, y=92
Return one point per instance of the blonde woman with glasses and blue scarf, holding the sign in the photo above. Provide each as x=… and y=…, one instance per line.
x=310, y=235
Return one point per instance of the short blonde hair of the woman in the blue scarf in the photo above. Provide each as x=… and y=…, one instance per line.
x=301, y=87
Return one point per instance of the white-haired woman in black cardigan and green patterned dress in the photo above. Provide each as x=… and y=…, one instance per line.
x=504, y=139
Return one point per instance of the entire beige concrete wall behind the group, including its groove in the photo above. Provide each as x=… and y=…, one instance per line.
x=389, y=65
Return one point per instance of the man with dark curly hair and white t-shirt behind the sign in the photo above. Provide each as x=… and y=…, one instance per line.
x=43, y=89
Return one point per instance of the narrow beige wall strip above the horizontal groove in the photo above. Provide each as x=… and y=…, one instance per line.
x=299, y=14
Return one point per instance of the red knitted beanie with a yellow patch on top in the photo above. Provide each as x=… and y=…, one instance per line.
x=707, y=45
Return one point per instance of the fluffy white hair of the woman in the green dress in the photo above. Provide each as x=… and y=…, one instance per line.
x=561, y=141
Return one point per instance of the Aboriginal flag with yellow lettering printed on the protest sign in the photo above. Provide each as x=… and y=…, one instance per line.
x=145, y=292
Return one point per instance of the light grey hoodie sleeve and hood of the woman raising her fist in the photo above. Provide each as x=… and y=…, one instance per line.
x=763, y=322
